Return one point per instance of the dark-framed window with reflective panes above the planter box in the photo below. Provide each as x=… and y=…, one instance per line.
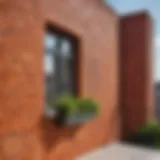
x=60, y=64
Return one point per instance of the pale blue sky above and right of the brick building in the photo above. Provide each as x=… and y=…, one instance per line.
x=126, y=6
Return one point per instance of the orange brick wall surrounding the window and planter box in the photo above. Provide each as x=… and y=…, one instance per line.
x=25, y=132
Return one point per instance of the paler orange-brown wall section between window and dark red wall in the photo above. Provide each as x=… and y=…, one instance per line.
x=96, y=26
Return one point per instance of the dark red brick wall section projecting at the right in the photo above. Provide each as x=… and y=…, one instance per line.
x=136, y=70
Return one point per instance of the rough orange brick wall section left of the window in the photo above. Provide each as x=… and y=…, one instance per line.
x=21, y=82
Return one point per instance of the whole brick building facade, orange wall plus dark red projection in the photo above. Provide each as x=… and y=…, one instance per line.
x=112, y=67
